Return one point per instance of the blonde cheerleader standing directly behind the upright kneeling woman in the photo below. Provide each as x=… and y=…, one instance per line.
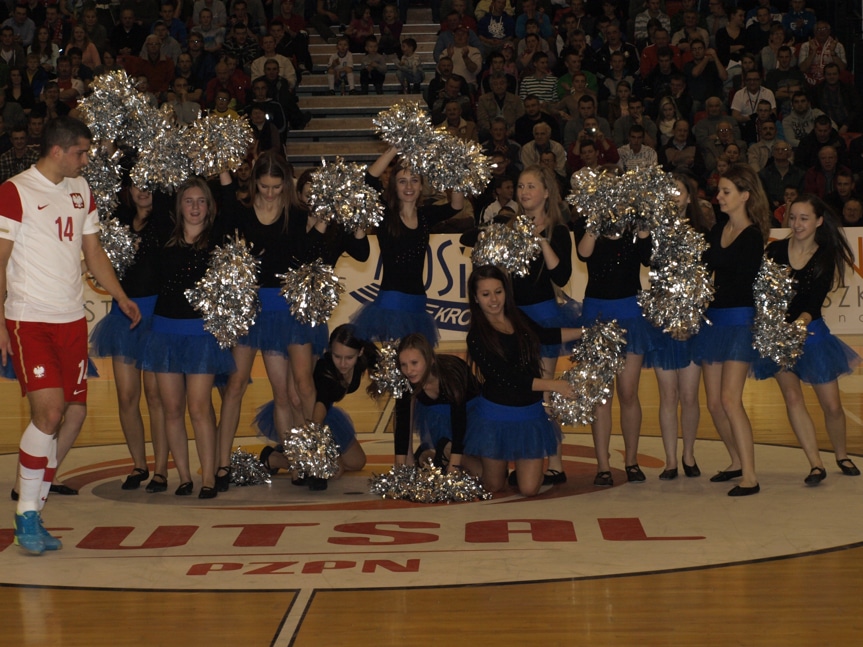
x=536, y=294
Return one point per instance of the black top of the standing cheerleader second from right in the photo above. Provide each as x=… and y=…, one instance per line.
x=734, y=267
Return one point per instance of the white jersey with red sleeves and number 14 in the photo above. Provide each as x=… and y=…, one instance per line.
x=47, y=223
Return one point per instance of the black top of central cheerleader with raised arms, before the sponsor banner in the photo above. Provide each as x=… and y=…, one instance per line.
x=403, y=257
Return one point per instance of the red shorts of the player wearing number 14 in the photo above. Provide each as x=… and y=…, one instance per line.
x=50, y=356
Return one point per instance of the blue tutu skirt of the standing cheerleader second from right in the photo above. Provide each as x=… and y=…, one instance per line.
x=728, y=338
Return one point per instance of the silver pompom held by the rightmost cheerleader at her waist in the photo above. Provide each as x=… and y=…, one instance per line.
x=772, y=336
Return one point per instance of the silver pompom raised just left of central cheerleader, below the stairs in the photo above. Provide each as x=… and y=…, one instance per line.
x=339, y=194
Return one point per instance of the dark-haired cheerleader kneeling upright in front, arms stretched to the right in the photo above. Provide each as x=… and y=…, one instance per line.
x=511, y=423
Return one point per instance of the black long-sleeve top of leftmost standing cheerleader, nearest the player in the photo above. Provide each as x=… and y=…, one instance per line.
x=141, y=278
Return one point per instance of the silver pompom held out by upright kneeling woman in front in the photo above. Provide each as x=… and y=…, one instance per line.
x=597, y=359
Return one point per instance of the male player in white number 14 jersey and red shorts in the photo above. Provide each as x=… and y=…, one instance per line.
x=47, y=219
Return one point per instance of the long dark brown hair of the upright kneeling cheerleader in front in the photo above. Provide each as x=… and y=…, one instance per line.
x=529, y=346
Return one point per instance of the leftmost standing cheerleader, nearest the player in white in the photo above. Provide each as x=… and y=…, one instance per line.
x=112, y=338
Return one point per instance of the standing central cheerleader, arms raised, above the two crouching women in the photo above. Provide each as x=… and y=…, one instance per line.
x=400, y=307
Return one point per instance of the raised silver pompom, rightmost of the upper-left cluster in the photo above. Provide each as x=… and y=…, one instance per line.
x=215, y=144
